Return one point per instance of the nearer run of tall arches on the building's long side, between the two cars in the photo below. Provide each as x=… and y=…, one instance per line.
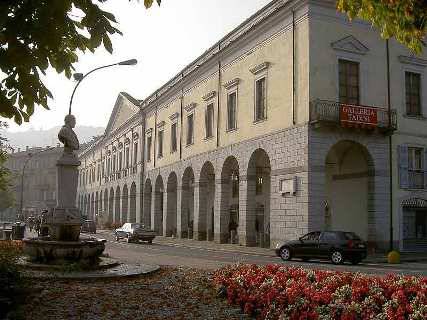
x=211, y=208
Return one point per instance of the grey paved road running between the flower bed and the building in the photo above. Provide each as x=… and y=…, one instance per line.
x=181, y=255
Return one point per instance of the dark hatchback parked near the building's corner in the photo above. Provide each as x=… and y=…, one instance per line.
x=338, y=246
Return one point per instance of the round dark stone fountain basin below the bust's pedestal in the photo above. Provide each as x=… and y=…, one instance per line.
x=48, y=251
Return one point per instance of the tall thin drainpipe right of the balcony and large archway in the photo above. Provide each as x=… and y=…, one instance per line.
x=390, y=144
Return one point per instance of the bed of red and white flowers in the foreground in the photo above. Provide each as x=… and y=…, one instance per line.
x=278, y=292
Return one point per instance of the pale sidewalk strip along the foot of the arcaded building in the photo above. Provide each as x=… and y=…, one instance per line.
x=210, y=245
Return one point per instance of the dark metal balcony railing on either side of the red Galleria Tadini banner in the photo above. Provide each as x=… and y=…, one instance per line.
x=330, y=111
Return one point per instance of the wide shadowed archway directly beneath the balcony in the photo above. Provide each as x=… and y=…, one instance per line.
x=349, y=189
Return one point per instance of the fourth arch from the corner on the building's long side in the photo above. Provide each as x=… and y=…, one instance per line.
x=187, y=203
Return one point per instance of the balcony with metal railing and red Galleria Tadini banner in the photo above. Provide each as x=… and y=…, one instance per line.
x=330, y=113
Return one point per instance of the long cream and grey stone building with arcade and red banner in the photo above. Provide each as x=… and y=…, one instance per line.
x=282, y=127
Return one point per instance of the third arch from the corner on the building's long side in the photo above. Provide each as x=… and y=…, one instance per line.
x=205, y=218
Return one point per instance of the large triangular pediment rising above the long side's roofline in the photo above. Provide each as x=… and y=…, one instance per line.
x=124, y=109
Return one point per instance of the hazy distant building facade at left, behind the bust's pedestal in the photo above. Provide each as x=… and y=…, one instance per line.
x=38, y=166
